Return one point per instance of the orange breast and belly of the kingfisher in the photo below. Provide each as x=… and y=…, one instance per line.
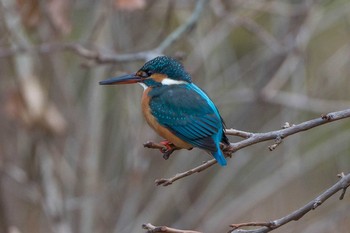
x=161, y=130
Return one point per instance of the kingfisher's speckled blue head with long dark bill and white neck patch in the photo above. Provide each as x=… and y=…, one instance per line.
x=156, y=72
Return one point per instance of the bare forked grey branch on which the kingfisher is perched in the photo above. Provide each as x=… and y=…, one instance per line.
x=277, y=135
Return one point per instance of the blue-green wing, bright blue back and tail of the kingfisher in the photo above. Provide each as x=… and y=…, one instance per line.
x=189, y=113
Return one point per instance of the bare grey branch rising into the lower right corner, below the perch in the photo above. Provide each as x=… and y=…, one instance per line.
x=342, y=184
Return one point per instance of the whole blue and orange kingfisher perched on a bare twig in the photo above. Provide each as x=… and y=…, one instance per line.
x=176, y=108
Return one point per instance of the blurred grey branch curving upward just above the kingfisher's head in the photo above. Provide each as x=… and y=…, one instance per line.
x=103, y=57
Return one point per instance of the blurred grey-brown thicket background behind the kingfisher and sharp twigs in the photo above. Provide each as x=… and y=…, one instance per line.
x=71, y=153
